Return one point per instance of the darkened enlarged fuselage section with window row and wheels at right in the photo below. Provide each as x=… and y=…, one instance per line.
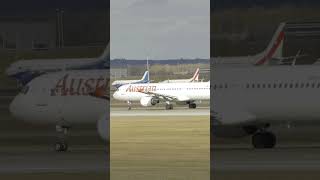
x=248, y=101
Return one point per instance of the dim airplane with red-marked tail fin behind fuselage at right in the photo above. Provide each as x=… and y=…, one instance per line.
x=272, y=52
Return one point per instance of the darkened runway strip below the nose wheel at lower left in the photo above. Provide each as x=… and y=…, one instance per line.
x=38, y=159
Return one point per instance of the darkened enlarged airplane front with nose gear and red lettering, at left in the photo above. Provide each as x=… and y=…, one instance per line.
x=64, y=99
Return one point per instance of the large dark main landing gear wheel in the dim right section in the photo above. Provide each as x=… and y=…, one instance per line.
x=263, y=140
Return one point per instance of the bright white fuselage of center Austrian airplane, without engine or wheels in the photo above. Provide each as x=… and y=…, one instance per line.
x=183, y=91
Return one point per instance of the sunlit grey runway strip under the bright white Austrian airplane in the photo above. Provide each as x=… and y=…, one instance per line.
x=178, y=111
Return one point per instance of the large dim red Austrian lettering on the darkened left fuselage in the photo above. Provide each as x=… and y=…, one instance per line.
x=78, y=87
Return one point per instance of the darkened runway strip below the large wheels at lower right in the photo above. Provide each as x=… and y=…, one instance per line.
x=281, y=159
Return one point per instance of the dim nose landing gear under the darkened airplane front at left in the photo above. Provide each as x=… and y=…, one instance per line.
x=61, y=144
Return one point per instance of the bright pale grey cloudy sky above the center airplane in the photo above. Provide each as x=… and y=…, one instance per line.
x=160, y=29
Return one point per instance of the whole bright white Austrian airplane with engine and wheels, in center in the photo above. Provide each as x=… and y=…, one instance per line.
x=151, y=94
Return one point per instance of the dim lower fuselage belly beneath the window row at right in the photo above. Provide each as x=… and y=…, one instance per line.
x=270, y=105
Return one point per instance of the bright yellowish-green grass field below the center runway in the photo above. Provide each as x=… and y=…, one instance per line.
x=160, y=148
